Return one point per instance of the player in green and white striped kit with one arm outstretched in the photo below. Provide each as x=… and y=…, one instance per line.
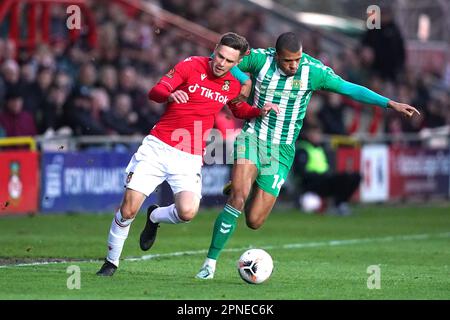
x=265, y=149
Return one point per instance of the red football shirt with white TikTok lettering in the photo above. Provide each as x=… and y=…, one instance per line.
x=186, y=126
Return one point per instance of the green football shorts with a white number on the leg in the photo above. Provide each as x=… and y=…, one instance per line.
x=273, y=161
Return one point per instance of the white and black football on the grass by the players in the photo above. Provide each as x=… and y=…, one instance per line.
x=255, y=266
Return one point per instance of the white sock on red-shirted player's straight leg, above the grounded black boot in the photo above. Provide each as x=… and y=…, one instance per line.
x=118, y=233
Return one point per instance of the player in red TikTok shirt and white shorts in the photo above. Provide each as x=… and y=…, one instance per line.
x=195, y=90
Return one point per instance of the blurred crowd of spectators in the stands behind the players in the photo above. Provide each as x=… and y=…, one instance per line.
x=72, y=89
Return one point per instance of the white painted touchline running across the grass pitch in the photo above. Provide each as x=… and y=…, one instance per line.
x=329, y=243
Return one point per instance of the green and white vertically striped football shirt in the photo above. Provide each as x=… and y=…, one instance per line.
x=290, y=93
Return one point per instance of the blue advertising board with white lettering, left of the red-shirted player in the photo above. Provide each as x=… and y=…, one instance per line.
x=84, y=181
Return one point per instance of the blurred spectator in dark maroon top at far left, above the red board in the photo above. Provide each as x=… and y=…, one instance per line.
x=13, y=119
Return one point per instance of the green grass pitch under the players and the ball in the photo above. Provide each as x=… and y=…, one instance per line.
x=411, y=267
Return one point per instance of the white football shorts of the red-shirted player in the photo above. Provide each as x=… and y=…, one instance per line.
x=155, y=161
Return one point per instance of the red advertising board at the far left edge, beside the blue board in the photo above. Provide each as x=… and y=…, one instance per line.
x=19, y=182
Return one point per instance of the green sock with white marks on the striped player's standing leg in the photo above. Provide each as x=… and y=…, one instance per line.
x=223, y=229
